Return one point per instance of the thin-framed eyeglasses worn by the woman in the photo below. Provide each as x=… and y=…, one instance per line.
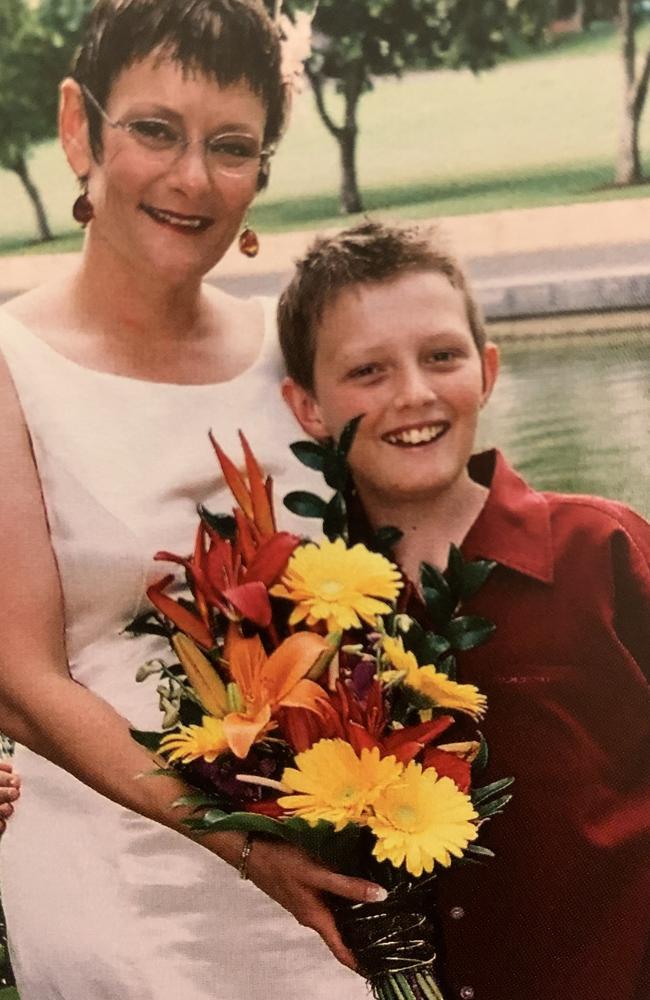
x=232, y=154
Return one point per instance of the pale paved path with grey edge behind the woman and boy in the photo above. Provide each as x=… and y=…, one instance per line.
x=535, y=262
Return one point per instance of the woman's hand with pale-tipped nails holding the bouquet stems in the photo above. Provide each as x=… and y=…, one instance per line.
x=298, y=883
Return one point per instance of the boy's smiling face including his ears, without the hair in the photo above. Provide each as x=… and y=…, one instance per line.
x=402, y=353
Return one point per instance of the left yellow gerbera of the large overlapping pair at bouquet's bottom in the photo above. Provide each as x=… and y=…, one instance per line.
x=334, y=784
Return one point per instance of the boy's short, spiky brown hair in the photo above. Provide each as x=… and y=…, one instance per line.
x=364, y=254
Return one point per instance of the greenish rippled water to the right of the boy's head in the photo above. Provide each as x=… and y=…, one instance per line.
x=573, y=414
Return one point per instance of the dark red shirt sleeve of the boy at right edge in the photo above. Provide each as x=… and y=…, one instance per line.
x=631, y=579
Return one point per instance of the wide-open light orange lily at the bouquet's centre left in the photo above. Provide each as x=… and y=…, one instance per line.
x=268, y=683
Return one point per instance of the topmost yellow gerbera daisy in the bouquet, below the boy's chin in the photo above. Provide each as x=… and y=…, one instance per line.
x=331, y=583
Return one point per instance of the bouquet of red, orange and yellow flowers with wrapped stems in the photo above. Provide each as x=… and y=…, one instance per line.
x=305, y=703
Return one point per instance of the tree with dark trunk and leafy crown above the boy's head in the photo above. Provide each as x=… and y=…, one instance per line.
x=358, y=40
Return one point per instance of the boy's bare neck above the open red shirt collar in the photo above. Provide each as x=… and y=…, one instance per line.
x=430, y=525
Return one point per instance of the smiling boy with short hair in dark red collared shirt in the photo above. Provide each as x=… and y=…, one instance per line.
x=379, y=320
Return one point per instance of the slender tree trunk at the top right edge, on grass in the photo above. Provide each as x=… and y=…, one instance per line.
x=628, y=166
